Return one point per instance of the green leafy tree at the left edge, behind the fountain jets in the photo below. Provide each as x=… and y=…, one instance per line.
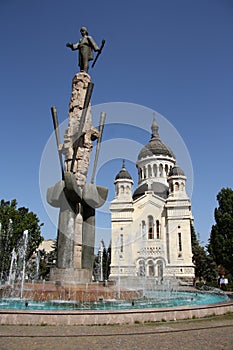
x=14, y=221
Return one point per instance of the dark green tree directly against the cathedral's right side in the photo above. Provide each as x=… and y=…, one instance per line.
x=205, y=267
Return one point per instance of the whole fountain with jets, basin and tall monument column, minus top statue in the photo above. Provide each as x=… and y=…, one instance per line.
x=70, y=297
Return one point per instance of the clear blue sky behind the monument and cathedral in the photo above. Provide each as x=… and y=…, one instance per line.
x=168, y=59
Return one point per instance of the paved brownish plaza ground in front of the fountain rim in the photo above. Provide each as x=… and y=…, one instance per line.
x=209, y=333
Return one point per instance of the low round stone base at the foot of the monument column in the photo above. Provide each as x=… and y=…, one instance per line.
x=70, y=276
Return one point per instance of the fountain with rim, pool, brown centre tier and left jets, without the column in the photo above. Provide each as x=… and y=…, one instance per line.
x=94, y=303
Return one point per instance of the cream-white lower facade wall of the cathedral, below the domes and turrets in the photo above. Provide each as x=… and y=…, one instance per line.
x=130, y=244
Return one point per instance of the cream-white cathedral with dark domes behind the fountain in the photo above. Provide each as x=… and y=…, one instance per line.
x=151, y=226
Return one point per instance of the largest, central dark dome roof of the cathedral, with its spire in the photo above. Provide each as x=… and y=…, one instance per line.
x=155, y=146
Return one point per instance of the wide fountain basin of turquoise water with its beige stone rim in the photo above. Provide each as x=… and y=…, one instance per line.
x=105, y=308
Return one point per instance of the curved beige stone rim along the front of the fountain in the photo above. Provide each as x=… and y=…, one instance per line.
x=103, y=317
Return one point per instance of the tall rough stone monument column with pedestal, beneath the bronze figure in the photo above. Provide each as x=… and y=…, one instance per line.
x=76, y=198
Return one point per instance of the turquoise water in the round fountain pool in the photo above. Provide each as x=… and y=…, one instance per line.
x=151, y=299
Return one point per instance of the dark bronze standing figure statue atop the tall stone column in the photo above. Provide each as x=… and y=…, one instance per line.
x=85, y=46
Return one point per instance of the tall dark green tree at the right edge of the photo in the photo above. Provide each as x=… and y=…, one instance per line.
x=220, y=244
